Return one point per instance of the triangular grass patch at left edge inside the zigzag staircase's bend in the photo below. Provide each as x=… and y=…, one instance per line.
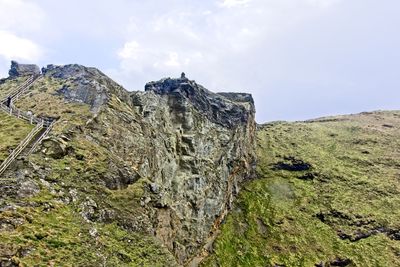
x=12, y=132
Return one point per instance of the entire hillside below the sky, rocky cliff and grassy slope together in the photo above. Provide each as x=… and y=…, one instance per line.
x=177, y=175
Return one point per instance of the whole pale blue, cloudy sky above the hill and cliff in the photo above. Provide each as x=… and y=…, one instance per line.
x=300, y=59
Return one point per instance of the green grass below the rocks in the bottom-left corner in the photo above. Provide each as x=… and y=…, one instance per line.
x=54, y=234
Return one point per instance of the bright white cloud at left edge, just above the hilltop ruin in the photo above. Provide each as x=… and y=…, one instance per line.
x=14, y=47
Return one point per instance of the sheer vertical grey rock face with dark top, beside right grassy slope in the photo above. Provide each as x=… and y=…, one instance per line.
x=203, y=150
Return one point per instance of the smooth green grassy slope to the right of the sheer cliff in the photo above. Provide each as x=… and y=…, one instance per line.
x=344, y=207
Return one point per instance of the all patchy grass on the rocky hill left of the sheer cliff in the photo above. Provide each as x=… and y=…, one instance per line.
x=48, y=232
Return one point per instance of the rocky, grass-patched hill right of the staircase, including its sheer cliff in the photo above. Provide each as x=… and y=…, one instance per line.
x=125, y=178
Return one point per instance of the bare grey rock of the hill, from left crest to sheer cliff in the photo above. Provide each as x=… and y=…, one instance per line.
x=190, y=148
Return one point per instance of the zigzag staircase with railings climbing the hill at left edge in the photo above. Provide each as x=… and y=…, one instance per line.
x=38, y=133
